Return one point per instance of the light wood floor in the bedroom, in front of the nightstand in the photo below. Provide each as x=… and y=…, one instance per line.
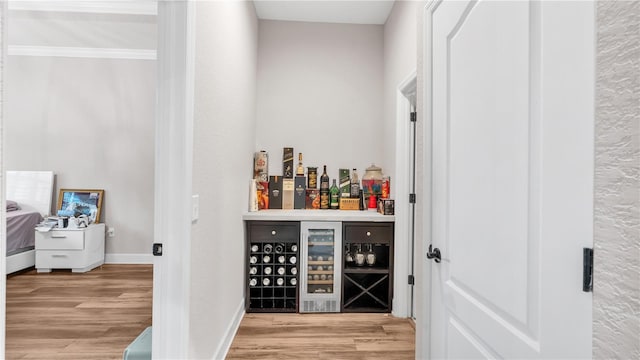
x=61, y=315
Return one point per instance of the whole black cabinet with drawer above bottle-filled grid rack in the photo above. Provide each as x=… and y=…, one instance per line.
x=273, y=260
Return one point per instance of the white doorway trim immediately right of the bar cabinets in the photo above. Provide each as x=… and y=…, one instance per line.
x=405, y=99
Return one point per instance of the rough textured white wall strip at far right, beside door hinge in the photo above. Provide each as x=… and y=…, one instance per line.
x=616, y=296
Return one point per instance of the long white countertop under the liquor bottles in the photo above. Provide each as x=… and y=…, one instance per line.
x=318, y=215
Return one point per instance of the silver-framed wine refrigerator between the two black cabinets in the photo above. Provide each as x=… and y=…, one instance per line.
x=321, y=245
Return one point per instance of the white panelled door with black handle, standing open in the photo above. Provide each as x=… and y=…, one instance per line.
x=509, y=94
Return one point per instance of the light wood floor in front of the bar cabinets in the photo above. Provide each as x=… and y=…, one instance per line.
x=323, y=336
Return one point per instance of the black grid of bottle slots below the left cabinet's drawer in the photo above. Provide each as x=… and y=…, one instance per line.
x=272, y=275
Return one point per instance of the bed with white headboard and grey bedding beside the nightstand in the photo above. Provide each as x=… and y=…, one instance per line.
x=29, y=196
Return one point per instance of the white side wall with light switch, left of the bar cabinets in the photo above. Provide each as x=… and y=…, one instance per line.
x=224, y=142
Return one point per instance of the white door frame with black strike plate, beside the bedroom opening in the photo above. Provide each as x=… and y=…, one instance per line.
x=173, y=178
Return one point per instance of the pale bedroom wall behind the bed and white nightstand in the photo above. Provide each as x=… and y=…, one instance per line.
x=90, y=120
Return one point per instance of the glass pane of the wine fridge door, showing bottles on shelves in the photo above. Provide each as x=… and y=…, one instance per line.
x=321, y=261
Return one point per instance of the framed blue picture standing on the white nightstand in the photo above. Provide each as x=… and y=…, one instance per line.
x=85, y=202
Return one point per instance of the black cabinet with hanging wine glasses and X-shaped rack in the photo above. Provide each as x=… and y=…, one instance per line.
x=367, y=267
